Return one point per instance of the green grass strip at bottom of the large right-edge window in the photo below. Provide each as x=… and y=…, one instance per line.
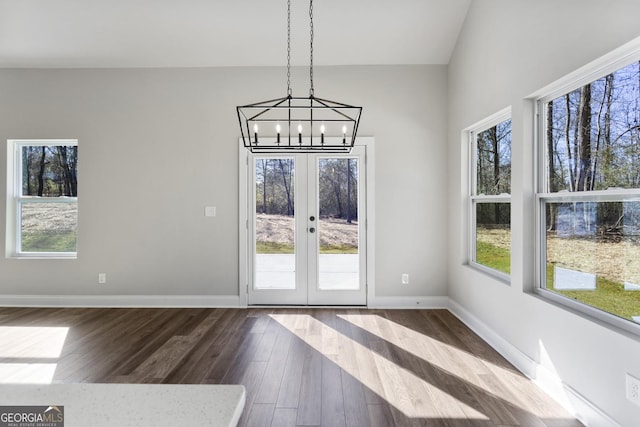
x=608, y=296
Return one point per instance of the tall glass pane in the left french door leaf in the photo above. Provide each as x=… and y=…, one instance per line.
x=275, y=224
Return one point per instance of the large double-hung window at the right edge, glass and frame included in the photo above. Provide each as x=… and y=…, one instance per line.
x=589, y=192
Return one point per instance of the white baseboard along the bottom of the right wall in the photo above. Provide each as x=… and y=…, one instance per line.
x=549, y=382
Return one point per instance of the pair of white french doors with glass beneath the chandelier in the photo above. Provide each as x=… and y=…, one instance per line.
x=306, y=229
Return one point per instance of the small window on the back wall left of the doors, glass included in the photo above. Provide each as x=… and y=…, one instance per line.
x=42, y=198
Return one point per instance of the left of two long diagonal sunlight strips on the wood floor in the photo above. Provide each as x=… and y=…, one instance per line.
x=408, y=393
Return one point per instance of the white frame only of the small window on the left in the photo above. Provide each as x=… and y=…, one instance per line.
x=15, y=199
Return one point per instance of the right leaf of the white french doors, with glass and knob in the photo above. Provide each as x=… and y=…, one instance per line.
x=337, y=261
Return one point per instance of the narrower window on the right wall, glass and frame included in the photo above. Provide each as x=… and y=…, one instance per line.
x=490, y=194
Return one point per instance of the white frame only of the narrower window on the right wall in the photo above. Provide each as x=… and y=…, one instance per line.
x=476, y=199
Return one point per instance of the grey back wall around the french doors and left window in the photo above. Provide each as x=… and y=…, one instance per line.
x=157, y=146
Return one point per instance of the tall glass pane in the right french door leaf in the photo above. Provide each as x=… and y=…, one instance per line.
x=338, y=259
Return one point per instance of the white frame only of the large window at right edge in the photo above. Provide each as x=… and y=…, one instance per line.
x=615, y=60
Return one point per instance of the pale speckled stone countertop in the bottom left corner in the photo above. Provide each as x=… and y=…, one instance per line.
x=134, y=405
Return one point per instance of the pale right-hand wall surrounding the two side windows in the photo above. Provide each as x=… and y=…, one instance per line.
x=506, y=51
